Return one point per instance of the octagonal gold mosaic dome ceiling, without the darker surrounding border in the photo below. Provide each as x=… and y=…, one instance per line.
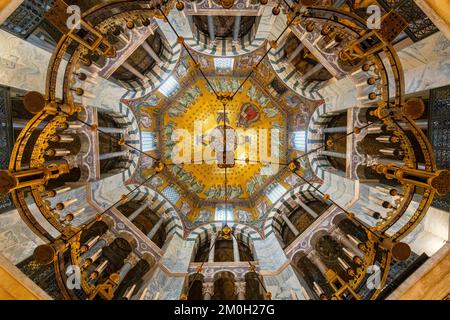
x=252, y=114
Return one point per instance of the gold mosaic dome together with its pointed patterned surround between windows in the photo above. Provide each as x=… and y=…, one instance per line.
x=262, y=103
